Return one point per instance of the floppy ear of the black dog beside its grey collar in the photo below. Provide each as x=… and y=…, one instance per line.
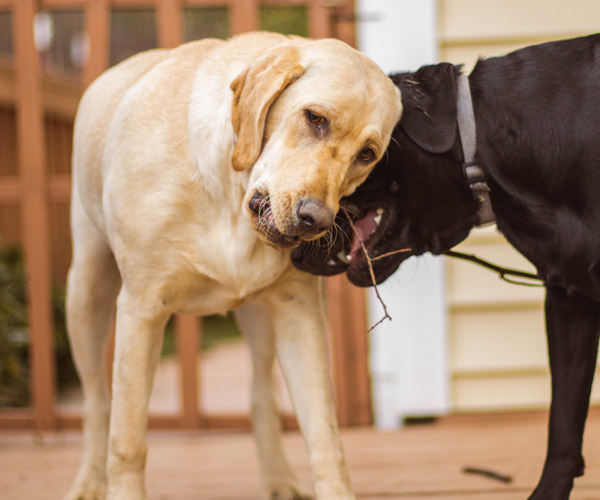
x=429, y=106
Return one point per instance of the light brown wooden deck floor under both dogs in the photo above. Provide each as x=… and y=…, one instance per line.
x=414, y=463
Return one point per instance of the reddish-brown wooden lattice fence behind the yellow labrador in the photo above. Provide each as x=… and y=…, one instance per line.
x=36, y=115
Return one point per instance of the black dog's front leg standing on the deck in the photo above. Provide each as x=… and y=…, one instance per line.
x=572, y=325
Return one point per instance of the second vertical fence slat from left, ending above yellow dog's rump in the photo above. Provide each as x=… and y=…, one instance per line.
x=97, y=26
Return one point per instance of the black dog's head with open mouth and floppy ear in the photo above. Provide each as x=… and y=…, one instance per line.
x=416, y=198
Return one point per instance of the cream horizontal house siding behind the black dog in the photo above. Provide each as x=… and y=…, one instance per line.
x=497, y=345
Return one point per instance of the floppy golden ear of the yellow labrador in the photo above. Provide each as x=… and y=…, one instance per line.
x=254, y=90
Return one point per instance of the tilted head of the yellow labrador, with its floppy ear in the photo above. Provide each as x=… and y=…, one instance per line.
x=312, y=118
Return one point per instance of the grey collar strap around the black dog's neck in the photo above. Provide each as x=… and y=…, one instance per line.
x=468, y=138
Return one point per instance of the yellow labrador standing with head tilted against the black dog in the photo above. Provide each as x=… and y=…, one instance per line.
x=195, y=172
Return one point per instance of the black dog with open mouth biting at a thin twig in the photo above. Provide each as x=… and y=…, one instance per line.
x=537, y=115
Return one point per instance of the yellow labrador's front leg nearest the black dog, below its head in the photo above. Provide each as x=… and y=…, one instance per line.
x=301, y=346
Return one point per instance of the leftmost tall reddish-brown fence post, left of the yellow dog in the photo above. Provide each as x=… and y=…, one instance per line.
x=36, y=235
